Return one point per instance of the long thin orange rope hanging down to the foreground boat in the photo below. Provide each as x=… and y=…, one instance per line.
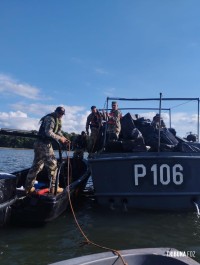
x=88, y=241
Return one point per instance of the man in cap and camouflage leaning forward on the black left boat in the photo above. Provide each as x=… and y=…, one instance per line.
x=44, y=155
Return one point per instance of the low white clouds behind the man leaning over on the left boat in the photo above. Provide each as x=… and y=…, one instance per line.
x=26, y=117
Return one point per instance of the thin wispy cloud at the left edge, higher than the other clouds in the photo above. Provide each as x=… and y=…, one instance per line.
x=11, y=86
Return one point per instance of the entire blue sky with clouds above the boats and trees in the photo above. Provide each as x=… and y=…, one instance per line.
x=75, y=53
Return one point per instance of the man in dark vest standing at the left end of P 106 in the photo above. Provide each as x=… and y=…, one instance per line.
x=94, y=122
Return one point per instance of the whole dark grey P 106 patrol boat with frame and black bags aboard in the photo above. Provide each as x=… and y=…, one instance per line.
x=147, y=168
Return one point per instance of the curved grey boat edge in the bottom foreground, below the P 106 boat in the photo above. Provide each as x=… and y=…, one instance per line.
x=149, y=256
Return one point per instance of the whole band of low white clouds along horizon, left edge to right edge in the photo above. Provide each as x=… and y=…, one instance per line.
x=26, y=117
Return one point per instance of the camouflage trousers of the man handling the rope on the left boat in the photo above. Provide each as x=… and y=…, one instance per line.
x=43, y=156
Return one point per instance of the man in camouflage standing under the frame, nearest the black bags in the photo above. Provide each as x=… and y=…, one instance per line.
x=114, y=122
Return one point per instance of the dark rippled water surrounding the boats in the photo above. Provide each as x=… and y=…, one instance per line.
x=61, y=239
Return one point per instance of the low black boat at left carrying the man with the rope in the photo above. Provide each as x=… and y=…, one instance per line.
x=40, y=207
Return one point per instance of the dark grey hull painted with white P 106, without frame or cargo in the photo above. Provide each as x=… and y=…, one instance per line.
x=154, y=181
